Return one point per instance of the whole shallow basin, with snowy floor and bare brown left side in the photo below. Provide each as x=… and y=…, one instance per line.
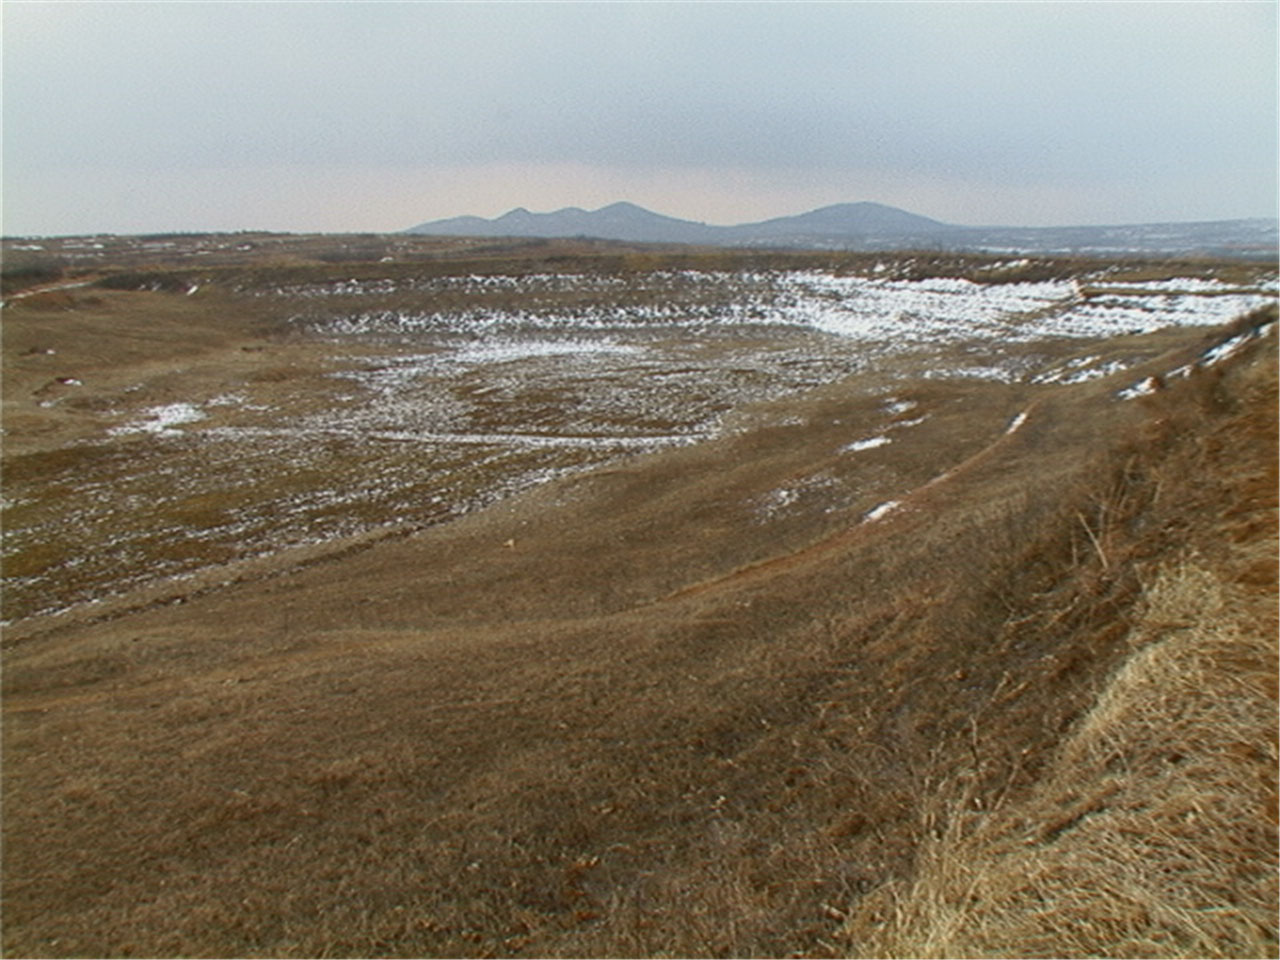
x=396, y=403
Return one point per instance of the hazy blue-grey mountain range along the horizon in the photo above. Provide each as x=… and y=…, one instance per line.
x=874, y=227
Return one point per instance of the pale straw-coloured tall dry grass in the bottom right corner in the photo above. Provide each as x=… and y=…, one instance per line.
x=1153, y=834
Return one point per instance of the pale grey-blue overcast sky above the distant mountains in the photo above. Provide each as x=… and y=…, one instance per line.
x=374, y=117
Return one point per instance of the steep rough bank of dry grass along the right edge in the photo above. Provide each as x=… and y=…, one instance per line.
x=1153, y=830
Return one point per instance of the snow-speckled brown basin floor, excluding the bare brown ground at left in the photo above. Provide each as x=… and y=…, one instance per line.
x=445, y=394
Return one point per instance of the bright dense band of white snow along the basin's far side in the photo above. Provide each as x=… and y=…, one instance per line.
x=900, y=314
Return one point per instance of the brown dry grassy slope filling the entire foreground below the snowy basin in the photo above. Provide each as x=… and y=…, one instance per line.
x=446, y=746
